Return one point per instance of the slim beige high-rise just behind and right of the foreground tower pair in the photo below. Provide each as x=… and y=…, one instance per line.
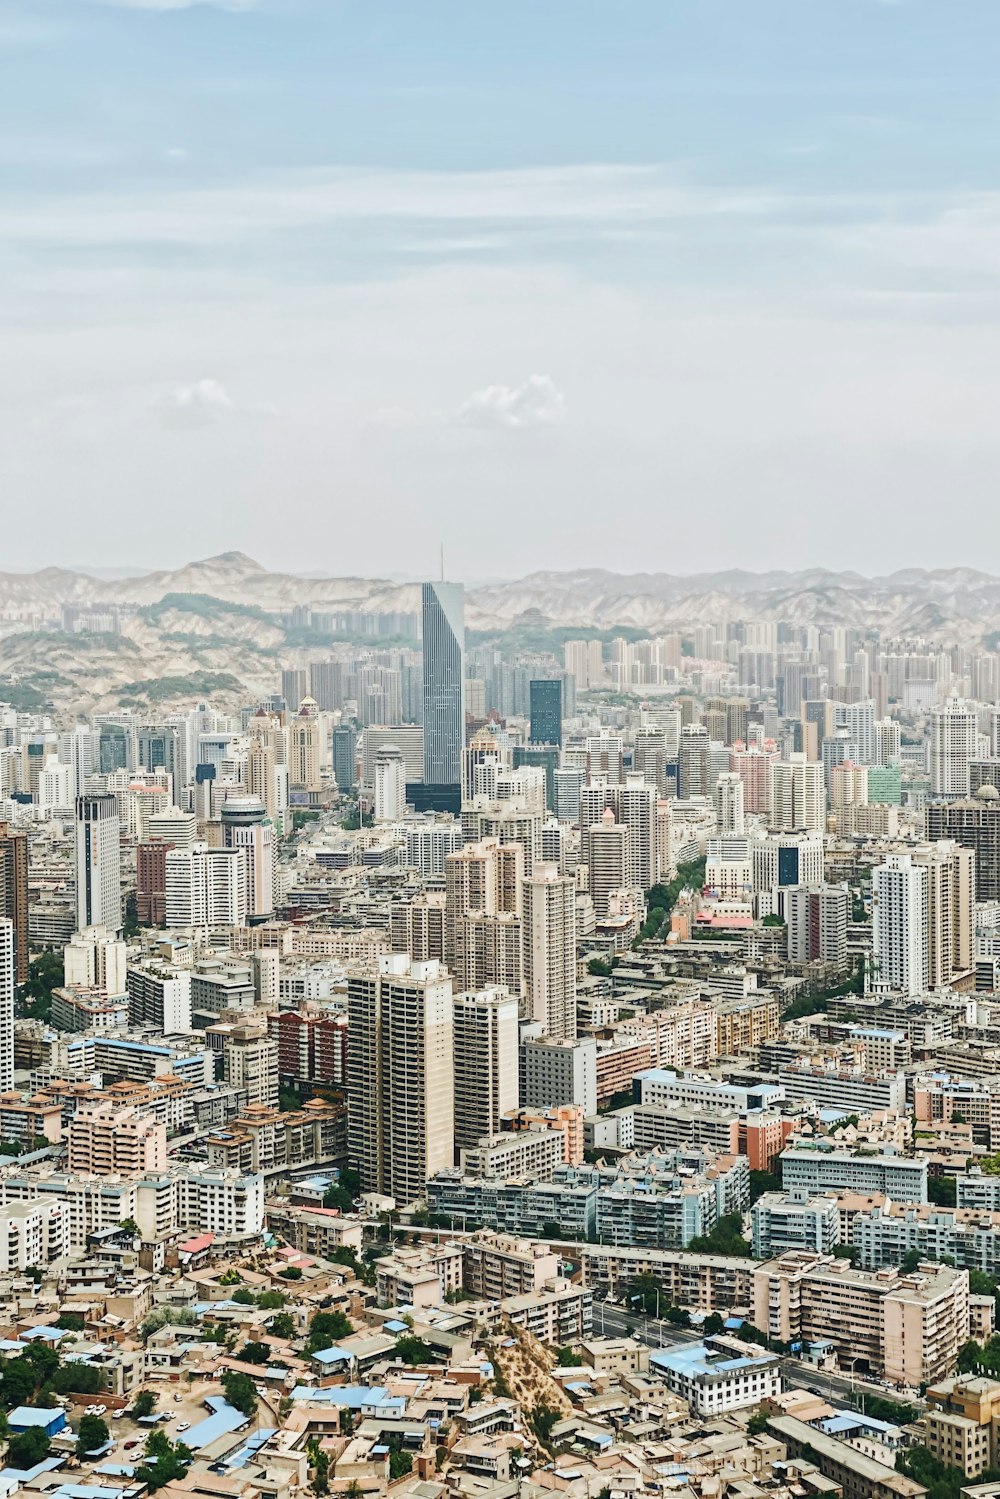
x=549, y=950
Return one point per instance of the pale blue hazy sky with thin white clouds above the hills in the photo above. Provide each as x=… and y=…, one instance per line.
x=635, y=284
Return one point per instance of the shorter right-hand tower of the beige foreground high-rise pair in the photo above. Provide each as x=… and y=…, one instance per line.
x=485, y=1064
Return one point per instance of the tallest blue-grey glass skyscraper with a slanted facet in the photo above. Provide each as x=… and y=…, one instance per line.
x=445, y=683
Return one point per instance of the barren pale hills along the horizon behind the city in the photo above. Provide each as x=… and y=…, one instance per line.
x=208, y=630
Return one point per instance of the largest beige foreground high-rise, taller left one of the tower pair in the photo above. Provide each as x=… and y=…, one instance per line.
x=401, y=1076
